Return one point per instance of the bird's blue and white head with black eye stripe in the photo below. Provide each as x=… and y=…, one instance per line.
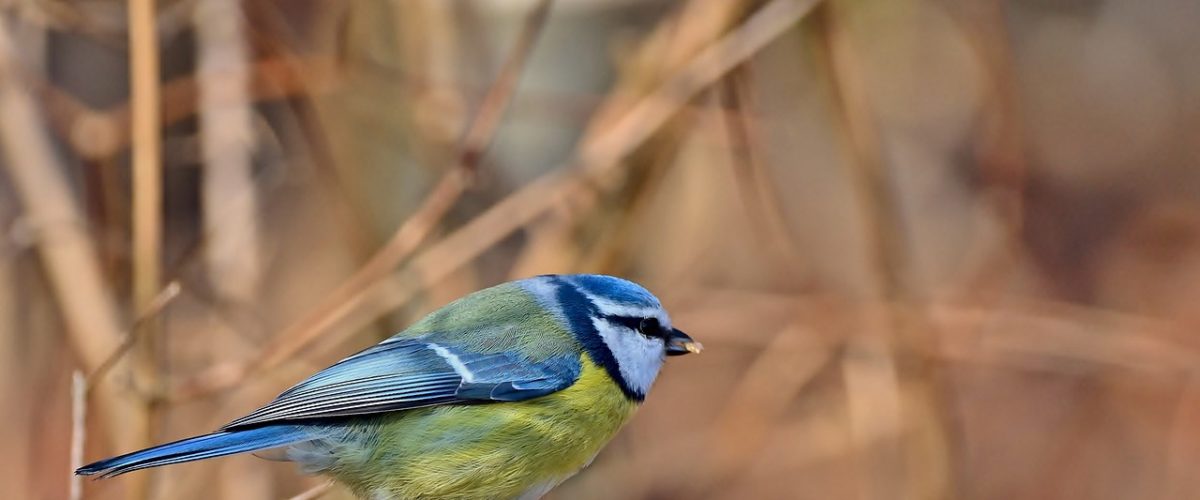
x=620, y=324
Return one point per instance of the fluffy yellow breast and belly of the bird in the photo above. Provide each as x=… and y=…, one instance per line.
x=487, y=451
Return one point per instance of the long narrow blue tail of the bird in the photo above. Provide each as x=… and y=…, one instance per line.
x=219, y=444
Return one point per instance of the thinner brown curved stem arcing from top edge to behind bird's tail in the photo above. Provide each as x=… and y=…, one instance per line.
x=405, y=240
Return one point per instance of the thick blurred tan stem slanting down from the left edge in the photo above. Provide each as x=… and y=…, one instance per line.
x=65, y=249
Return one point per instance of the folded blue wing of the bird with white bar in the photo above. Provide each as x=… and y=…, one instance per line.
x=406, y=374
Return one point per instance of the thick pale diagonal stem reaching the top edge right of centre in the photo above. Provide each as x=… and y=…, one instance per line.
x=561, y=186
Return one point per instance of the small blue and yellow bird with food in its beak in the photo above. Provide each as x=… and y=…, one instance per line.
x=503, y=394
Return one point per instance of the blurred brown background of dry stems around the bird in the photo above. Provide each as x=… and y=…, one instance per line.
x=935, y=249
